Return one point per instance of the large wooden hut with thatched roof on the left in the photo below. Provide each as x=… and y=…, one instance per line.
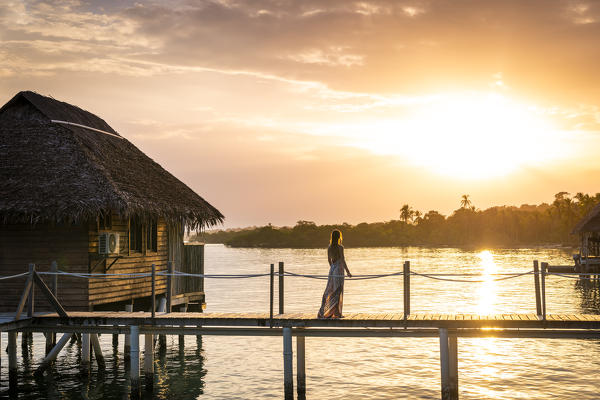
x=75, y=192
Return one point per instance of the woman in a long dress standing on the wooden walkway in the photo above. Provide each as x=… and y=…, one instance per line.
x=331, y=305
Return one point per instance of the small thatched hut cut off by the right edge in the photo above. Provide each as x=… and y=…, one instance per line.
x=588, y=229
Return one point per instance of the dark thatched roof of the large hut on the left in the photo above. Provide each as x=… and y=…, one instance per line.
x=58, y=172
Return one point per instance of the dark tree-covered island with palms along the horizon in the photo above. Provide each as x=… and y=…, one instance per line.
x=499, y=226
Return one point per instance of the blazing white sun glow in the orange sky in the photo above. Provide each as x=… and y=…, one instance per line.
x=470, y=136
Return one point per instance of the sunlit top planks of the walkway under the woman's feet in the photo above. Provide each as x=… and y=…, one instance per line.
x=351, y=320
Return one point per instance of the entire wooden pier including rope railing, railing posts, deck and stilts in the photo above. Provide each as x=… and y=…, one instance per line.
x=161, y=321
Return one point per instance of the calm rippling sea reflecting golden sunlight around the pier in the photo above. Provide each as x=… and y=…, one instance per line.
x=354, y=368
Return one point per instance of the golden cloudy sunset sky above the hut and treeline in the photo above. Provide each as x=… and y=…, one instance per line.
x=330, y=111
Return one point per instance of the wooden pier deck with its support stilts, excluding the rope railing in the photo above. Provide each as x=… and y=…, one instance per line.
x=448, y=327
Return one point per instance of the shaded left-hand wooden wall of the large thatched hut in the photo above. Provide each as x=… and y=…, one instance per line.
x=21, y=244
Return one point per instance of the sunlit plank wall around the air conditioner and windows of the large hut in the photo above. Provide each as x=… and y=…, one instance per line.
x=103, y=291
